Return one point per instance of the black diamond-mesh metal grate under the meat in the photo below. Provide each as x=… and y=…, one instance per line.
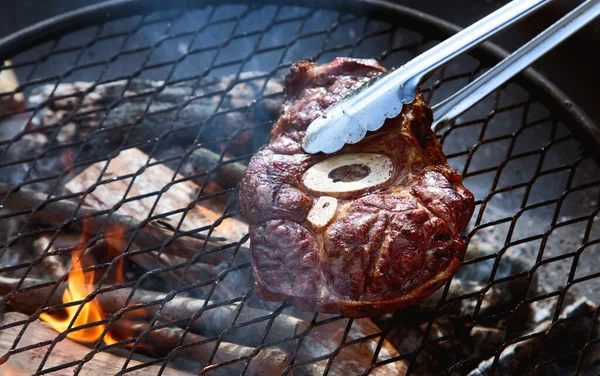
x=531, y=179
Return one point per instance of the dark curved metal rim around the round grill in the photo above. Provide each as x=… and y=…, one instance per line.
x=582, y=127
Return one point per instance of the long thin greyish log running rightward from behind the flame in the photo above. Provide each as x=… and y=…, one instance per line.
x=210, y=318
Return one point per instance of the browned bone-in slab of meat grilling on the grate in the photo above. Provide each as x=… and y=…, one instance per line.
x=364, y=231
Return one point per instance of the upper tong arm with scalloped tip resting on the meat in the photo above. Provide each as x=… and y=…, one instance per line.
x=367, y=108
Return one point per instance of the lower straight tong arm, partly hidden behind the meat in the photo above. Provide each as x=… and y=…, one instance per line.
x=465, y=98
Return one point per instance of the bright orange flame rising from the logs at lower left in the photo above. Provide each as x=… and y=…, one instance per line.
x=80, y=285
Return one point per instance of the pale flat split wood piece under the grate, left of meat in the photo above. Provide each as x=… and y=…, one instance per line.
x=179, y=197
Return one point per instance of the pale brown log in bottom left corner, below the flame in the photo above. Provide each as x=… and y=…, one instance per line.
x=66, y=351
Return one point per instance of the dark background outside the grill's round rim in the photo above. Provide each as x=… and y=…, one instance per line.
x=573, y=66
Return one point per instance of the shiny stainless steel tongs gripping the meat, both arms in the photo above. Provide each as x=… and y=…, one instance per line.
x=348, y=121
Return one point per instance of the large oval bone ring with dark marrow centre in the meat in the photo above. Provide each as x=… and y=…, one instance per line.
x=349, y=174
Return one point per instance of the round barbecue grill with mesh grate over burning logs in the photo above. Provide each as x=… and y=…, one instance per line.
x=122, y=248
